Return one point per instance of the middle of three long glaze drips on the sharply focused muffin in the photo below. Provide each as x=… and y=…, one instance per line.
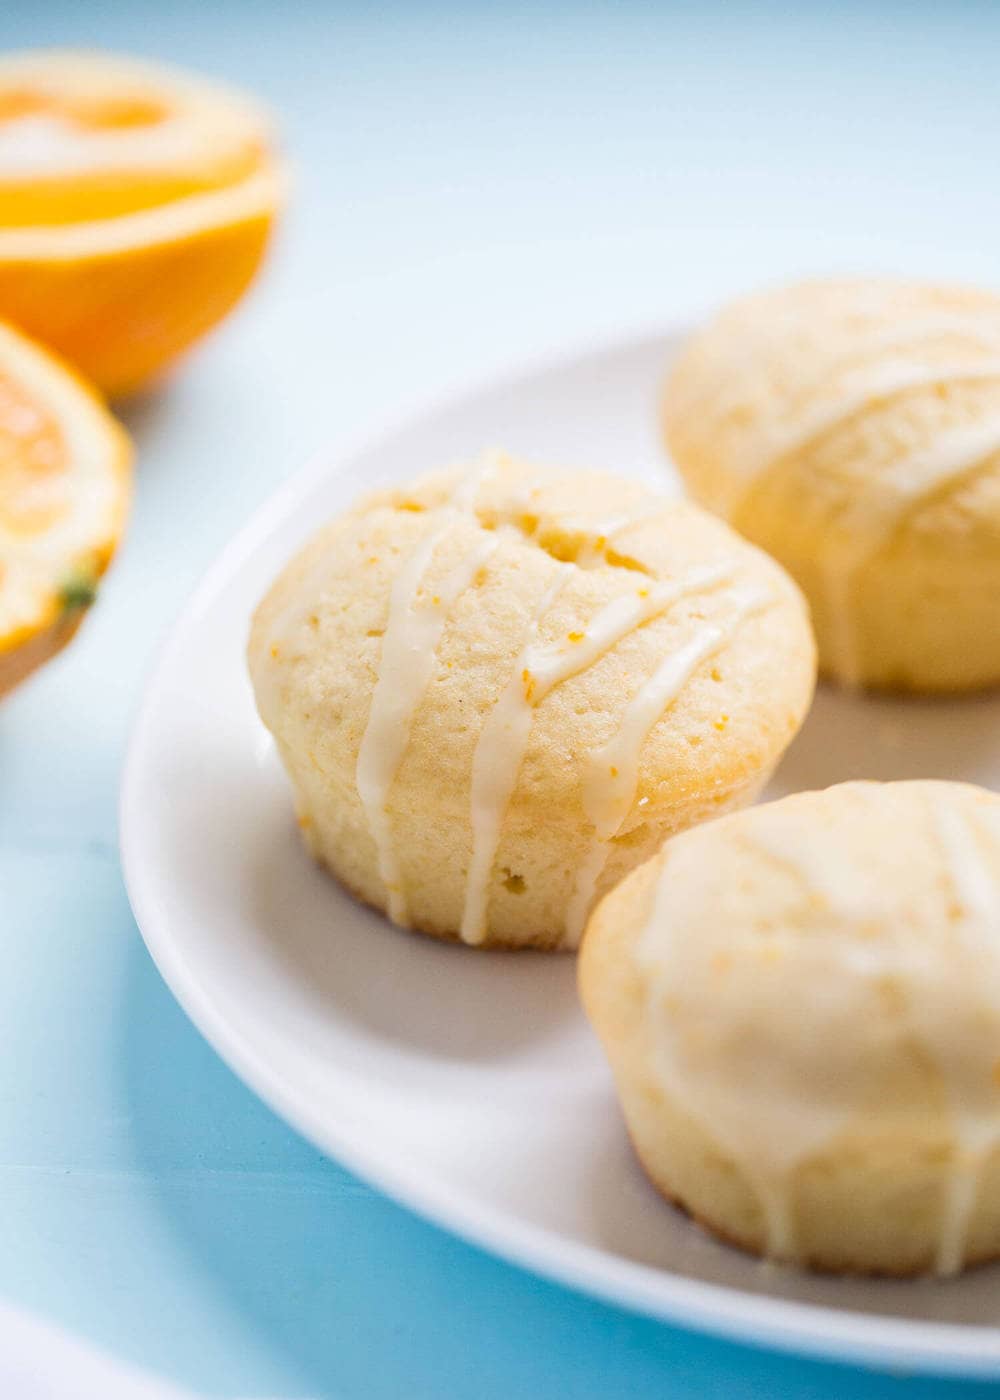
x=537, y=670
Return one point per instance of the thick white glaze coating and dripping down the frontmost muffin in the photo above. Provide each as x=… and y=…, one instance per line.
x=774, y=1132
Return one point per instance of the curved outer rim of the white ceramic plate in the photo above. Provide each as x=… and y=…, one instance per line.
x=723, y=1311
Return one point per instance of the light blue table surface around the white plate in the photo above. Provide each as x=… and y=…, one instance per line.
x=474, y=185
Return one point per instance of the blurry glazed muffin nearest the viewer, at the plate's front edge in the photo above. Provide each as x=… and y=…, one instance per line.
x=807, y=1051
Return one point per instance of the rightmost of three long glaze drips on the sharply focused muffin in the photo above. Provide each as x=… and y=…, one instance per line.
x=613, y=772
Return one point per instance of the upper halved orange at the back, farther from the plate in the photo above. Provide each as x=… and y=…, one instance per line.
x=135, y=208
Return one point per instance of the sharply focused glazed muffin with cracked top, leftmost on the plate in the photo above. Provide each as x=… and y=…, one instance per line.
x=498, y=689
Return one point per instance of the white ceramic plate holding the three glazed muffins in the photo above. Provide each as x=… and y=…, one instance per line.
x=467, y=1084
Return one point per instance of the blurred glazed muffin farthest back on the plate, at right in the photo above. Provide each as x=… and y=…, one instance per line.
x=852, y=429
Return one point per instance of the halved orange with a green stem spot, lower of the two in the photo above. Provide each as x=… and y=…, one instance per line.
x=65, y=479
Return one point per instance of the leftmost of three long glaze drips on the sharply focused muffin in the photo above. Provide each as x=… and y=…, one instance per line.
x=410, y=646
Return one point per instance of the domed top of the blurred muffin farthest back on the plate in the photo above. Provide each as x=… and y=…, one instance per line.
x=873, y=405
